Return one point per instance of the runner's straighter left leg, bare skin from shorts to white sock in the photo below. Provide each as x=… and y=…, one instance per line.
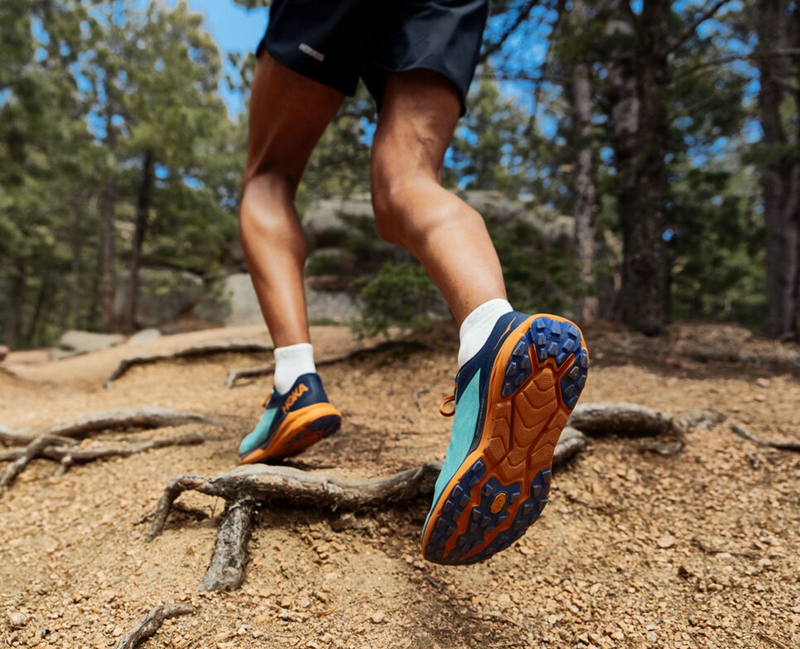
x=288, y=114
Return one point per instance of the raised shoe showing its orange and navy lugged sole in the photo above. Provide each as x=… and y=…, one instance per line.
x=512, y=400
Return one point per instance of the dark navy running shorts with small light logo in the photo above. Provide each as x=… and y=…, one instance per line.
x=335, y=42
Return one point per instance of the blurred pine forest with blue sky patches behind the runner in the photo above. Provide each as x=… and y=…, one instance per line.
x=669, y=132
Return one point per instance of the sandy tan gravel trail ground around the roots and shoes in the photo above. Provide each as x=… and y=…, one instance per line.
x=635, y=550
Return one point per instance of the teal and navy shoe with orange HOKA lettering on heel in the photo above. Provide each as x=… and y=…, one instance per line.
x=291, y=422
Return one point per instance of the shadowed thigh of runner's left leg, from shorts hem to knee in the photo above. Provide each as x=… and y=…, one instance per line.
x=288, y=114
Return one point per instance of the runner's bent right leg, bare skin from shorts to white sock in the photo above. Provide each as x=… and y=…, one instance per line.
x=418, y=115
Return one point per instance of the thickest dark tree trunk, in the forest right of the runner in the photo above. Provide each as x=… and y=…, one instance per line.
x=639, y=121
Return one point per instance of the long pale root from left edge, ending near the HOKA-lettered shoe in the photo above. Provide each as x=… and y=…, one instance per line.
x=108, y=420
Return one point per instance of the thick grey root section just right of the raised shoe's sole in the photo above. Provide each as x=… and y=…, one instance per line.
x=623, y=419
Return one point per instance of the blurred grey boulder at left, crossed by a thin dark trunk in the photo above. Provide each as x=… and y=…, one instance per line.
x=164, y=294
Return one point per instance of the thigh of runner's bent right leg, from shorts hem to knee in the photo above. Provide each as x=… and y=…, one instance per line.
x=418, y=115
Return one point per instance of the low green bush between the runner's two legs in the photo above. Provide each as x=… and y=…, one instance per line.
x=400, y=295
